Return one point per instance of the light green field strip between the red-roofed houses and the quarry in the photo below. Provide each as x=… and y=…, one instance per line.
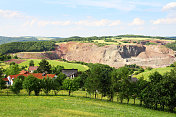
x=56, y=62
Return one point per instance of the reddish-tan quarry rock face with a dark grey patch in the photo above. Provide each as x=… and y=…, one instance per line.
x=117, y=56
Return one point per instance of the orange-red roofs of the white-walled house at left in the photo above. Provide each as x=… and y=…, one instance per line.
x=37, y=75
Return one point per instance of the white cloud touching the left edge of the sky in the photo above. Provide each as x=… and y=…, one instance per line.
x=10, y=14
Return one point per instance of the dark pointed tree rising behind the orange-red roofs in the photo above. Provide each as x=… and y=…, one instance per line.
x=44, y=66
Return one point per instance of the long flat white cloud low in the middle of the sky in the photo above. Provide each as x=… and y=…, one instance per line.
x=102, y=22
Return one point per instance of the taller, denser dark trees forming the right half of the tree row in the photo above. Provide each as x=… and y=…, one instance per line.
x=156, y=93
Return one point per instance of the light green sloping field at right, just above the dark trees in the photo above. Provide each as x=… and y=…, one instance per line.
x=146, y=73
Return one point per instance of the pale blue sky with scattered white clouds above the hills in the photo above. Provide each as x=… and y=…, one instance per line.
x=65, y=18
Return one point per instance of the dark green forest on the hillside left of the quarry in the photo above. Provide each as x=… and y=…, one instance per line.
x=38, y=46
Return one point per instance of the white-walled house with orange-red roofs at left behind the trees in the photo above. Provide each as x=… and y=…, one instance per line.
x=10, y=78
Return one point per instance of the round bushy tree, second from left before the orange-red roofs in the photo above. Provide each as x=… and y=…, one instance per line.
x=32, y=84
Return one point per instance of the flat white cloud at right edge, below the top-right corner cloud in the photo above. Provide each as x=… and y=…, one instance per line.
x=165, y=21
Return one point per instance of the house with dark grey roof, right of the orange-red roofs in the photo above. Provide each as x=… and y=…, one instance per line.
x=70, y=72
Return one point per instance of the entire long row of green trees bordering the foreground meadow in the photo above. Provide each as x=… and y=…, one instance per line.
x=156, y=93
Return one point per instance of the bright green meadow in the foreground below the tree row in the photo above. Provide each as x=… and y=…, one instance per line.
x=71, y=106
